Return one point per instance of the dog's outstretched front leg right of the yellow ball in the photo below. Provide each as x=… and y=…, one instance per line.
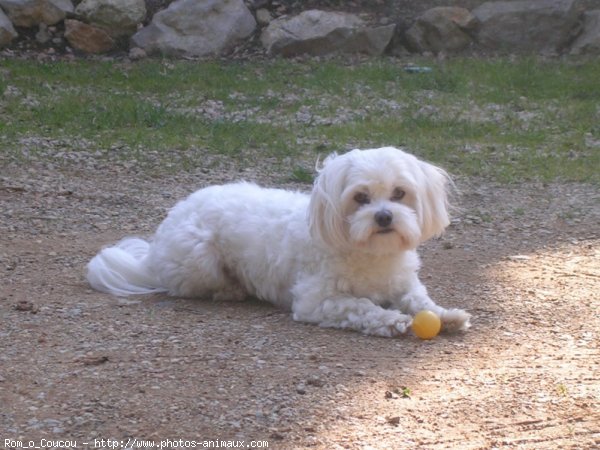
x=416, y=299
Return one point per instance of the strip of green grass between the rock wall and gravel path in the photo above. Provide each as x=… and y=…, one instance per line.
x=513, y=121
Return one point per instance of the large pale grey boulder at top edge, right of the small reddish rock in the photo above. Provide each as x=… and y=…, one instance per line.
x=196, y=28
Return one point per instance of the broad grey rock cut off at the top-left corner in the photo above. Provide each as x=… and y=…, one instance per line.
x=29, y=13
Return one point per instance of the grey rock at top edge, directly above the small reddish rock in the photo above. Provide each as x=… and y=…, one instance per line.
x=117, y=17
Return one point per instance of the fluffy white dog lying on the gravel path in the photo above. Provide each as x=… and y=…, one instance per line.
x=343, y=256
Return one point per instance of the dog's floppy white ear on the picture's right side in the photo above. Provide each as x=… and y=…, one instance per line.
x=432, y=200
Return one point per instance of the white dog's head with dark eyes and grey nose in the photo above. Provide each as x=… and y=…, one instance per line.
x=380, y=201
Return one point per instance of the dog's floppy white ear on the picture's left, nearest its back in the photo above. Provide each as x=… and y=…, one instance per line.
x=325, y=212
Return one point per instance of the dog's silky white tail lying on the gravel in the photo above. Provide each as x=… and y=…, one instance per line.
x=123, y=269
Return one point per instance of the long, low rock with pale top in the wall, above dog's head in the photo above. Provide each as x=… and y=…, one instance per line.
x=317, y=32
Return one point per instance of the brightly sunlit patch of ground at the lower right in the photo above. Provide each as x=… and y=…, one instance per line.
x=526, y=376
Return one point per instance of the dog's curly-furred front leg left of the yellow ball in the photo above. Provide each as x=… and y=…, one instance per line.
x=343, y=311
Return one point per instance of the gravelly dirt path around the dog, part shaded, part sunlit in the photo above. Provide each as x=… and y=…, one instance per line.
x=80, y=365
